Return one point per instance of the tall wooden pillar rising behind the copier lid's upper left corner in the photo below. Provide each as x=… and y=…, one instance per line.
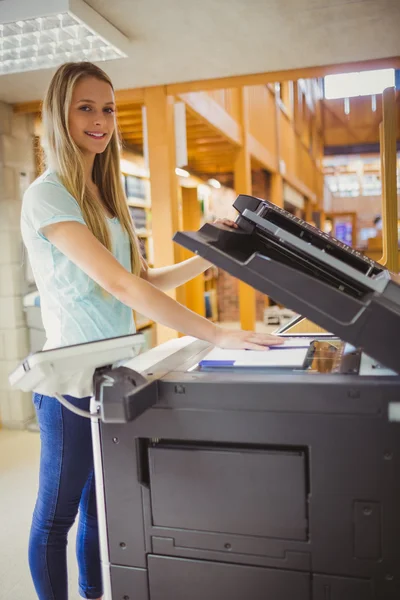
x=242, y=177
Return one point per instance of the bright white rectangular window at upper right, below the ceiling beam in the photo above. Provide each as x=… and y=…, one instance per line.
x=364, y=83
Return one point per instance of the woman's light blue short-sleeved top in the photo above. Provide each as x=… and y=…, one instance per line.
x=74, y=308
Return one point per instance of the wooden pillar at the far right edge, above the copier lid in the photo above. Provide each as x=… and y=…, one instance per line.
x=387, y=132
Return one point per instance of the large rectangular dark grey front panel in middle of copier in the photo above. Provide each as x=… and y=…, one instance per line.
x=251, y=492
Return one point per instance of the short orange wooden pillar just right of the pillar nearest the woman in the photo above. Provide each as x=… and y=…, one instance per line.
x=191, y=213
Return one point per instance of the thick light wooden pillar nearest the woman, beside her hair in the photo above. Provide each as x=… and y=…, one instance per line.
x=165, y=205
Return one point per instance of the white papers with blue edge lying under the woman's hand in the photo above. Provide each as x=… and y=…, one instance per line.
x=290, y=355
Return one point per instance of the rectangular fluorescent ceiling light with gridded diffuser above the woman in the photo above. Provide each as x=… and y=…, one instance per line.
x=40, y=34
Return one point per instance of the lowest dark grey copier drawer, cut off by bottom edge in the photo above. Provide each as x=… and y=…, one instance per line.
x=177, y=579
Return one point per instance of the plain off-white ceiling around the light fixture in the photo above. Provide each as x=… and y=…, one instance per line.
x=183, y=40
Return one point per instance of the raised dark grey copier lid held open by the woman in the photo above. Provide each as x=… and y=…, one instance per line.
x=309, y=272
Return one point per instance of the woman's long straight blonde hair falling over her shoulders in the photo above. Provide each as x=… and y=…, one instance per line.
x=65, y=158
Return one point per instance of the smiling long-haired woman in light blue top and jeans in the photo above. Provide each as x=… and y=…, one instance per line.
x=85, y=258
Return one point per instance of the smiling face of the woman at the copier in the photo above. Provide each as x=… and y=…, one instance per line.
x=92, y=115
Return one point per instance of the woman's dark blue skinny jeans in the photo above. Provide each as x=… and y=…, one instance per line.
x=66, y=484
